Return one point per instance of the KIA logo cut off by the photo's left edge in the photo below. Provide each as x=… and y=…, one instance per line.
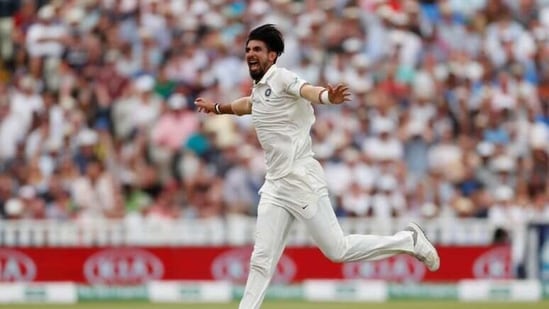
x=16, y=266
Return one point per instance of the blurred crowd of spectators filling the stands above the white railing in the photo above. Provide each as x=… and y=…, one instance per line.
x=449, y=115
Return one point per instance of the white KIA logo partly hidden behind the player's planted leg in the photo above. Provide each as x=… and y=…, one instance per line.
x=234, y=265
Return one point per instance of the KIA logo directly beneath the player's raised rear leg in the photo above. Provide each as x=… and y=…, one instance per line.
x=402, y=268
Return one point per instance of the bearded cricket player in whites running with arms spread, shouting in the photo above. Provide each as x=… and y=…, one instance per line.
x=295, y=187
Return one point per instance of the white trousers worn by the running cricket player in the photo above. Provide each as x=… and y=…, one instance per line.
x=273, y=224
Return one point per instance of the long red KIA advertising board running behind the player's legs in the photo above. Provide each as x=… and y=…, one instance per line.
x=129, y=265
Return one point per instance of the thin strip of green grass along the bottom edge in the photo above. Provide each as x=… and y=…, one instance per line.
x=298, y=305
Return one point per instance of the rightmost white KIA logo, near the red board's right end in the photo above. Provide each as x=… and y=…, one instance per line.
x=494, y=264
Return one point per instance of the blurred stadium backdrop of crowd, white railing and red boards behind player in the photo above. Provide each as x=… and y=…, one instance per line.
x=113, y=188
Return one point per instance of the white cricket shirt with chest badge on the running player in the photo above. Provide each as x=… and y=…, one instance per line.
x=283, y=120
